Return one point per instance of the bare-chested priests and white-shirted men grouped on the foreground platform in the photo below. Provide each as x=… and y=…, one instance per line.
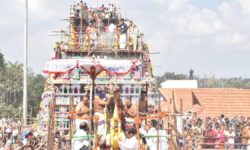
x=109, y=109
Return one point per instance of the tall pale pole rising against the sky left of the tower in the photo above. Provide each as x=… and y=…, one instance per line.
x=25, y=99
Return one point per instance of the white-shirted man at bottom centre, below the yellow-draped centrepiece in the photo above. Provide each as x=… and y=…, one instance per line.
x=130, y=142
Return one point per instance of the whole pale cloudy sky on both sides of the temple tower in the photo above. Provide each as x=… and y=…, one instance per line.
x=210, y=36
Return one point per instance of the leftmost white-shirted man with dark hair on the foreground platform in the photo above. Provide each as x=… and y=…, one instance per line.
x=80, y=138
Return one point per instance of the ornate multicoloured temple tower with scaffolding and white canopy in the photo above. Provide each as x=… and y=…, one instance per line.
x=99, y=52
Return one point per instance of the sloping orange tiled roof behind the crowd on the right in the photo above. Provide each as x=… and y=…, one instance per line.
x=230, y=102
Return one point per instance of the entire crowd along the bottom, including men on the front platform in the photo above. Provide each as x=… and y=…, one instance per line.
x=221, y=132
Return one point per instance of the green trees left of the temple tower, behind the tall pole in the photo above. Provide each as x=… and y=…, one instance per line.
x=11, y=88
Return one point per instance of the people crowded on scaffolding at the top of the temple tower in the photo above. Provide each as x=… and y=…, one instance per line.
x=100, y=28
